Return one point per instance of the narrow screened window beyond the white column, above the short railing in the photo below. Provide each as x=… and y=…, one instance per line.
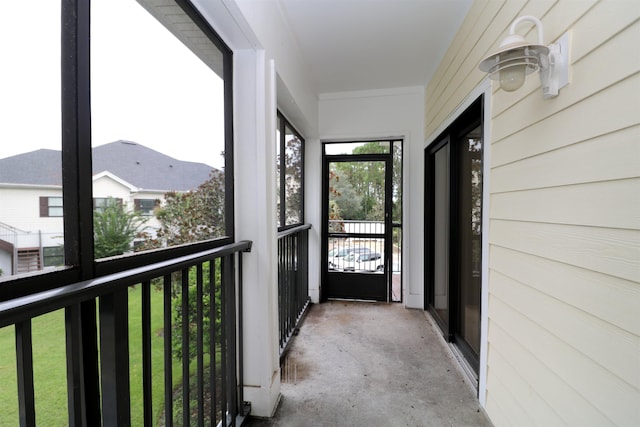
x=290, y=170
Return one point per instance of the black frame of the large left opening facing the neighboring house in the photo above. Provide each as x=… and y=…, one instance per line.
x=77, y=183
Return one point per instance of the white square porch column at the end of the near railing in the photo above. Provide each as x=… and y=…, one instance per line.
x=255, y=208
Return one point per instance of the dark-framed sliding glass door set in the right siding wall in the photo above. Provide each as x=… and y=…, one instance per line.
x=453, y=232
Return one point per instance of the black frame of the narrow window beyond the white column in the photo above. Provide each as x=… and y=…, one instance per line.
x=283, y=126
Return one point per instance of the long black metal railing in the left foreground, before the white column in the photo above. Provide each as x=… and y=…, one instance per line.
x=197, y=301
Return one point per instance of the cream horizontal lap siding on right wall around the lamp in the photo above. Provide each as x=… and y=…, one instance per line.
x=564, y=232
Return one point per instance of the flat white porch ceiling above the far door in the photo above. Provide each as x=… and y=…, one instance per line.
x=373, y=44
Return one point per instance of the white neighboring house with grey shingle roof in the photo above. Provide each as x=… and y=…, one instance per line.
x=31, y=227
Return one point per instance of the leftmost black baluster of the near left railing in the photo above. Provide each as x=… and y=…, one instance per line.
x=24, y=356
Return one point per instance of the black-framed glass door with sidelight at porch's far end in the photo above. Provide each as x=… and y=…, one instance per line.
x=359, y=256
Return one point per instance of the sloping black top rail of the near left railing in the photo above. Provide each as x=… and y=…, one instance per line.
x=29, y=306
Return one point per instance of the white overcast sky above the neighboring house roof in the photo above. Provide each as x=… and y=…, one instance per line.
x=146, y=86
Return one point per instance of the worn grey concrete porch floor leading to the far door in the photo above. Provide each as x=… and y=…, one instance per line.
x=372, y=364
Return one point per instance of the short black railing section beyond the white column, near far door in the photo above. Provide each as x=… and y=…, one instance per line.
x=293, y=280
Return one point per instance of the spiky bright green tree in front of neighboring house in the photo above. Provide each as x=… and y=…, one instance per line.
x=114, y=229
